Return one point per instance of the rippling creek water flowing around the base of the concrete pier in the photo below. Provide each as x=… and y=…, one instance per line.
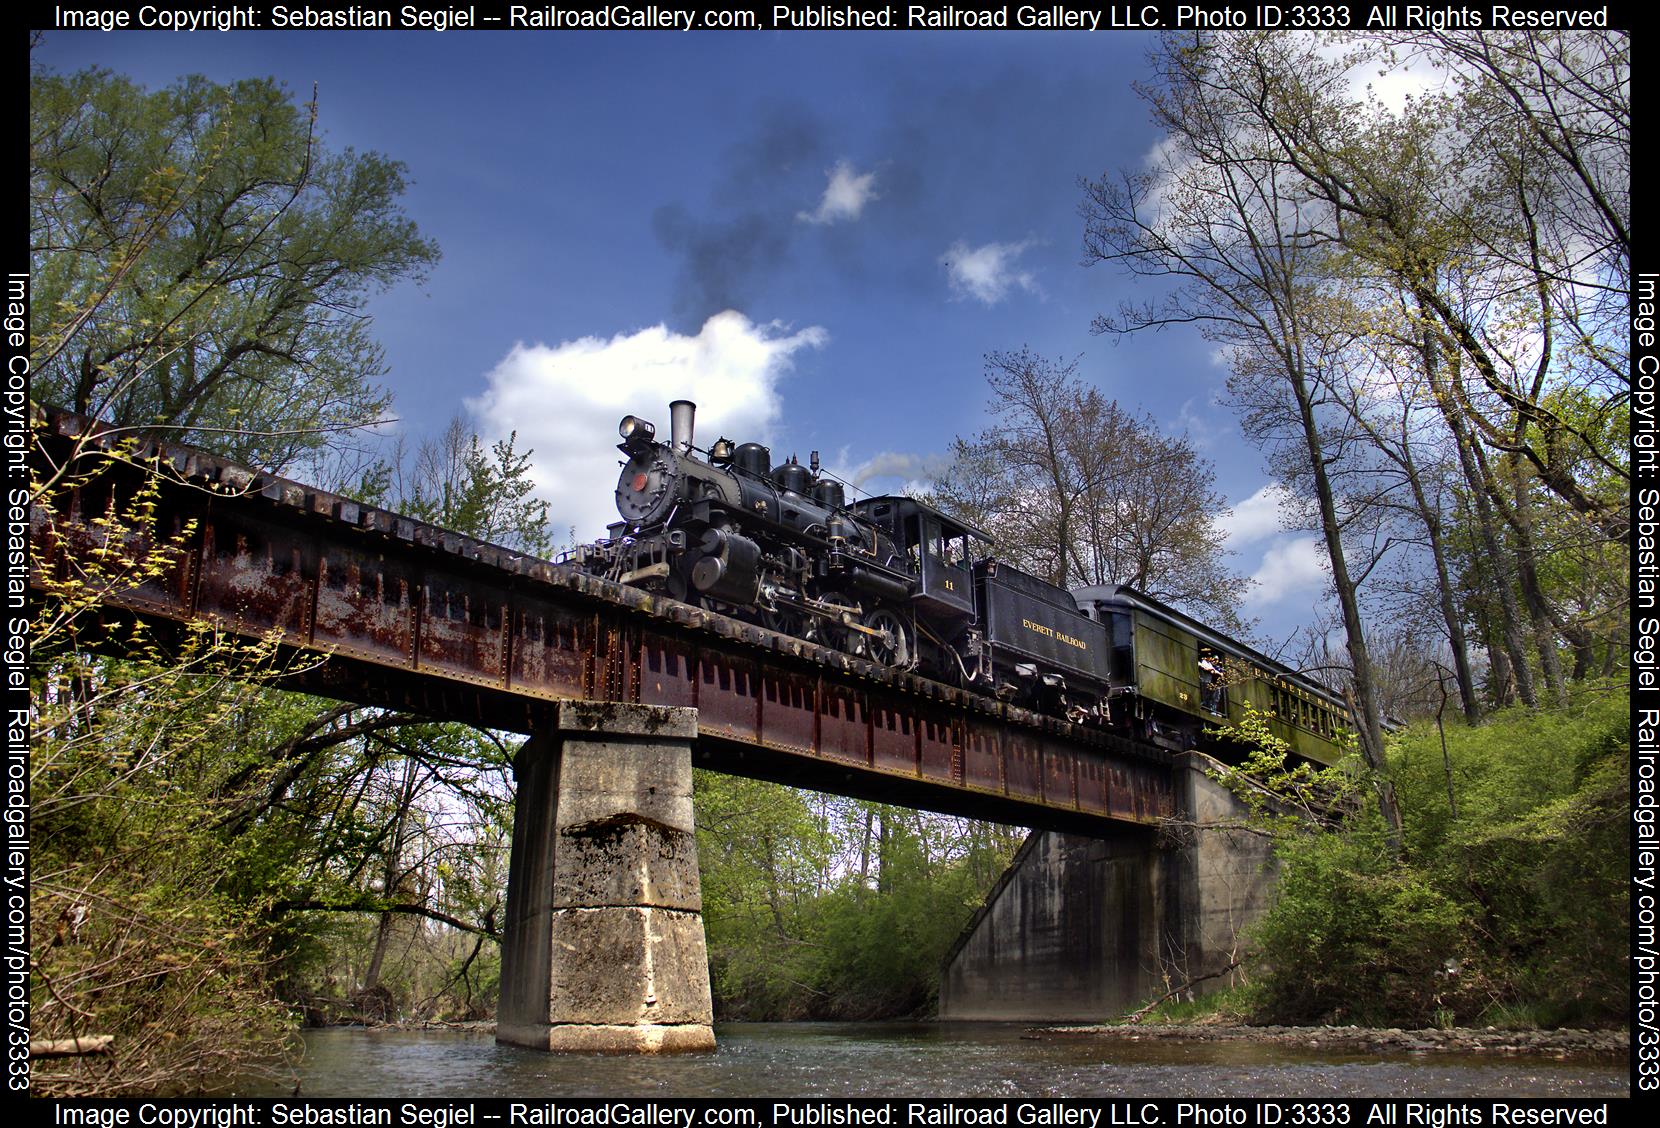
x=919, y=1061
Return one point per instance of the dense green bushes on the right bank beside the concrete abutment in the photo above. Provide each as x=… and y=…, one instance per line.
x=1510, y=905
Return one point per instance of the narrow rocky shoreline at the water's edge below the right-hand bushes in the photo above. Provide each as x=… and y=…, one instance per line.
x=1560, y=1044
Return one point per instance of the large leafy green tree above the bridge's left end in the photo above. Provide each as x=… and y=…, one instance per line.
x=202, y=263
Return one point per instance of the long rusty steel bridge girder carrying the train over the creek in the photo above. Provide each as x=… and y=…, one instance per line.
x=422, y=618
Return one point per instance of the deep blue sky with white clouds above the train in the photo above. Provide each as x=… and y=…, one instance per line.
x=814, y=235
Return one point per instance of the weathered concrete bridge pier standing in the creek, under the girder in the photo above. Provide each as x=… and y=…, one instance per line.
x=603, y=948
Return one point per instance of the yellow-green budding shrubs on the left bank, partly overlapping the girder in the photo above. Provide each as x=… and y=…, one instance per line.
x=134, y=935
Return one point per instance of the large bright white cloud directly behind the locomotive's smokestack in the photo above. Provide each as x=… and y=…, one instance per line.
x=565, y=402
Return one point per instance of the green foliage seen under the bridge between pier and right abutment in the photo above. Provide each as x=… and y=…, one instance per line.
x=824, y=908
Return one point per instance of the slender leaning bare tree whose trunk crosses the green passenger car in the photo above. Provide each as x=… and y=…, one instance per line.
x=1231, y=225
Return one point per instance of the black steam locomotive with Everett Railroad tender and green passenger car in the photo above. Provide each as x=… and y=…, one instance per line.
x=901, y=583
